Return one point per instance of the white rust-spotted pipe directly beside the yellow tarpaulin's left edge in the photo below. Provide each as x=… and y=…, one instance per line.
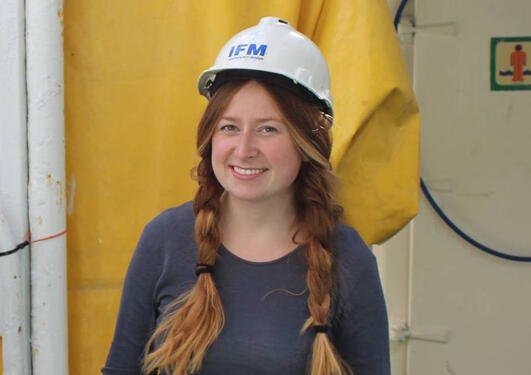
x=46, y=189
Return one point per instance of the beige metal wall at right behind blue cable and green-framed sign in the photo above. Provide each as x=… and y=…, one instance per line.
x=456, y=309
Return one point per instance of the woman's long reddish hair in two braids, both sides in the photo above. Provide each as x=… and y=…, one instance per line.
x=196, y=318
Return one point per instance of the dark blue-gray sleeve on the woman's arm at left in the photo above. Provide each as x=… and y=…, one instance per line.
x=137, y=313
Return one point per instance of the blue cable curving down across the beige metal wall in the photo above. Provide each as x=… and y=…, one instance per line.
x=438, y=209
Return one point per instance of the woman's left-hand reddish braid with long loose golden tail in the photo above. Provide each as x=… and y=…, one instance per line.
x=197, y=317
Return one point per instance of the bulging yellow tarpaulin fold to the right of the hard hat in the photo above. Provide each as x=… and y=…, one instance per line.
x=376, y=127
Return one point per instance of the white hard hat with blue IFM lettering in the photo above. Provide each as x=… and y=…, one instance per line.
x=272, y=49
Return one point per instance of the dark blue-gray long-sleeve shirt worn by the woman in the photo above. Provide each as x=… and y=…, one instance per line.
x=265, y=304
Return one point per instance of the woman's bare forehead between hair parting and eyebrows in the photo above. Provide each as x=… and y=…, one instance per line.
x=253, y=99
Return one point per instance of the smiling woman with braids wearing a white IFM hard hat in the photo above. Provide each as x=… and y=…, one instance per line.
x=256, y=276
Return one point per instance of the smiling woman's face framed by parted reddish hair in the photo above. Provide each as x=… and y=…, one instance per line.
x=253, y=155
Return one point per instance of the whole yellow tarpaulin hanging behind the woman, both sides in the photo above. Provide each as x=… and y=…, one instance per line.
x=132, y=107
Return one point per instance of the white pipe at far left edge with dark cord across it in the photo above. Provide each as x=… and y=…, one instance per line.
x=14, y=268
